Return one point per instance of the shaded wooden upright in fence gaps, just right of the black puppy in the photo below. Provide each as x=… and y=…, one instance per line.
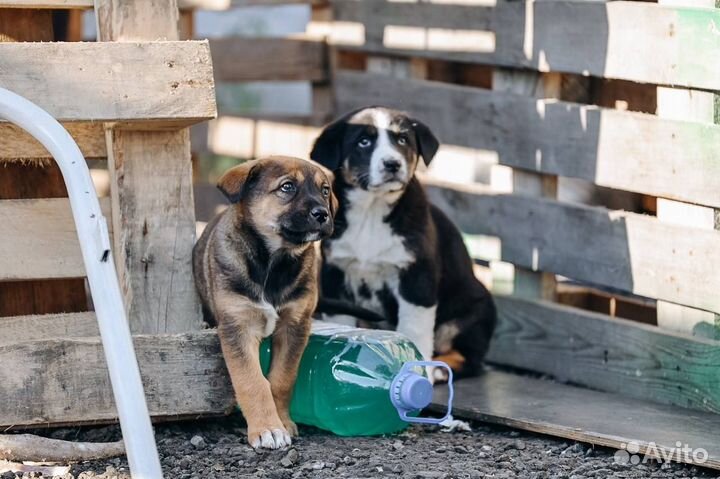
x=531, y=283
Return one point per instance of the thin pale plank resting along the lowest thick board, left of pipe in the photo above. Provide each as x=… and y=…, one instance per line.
x=17, y=329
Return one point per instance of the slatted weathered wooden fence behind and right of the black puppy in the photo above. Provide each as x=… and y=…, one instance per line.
x=618, y=94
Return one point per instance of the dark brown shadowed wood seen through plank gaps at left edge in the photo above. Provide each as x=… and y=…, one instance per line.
x=40, y=179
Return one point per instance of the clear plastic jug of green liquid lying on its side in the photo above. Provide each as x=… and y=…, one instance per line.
x=359, y=382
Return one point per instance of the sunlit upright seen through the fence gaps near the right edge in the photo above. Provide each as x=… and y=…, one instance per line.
x=699, y=106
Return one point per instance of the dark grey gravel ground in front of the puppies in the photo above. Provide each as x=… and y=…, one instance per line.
x=216, y=448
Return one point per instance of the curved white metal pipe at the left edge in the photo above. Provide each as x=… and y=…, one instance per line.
x=95, y=245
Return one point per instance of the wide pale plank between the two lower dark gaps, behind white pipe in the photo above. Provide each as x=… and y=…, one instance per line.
x=39, y=240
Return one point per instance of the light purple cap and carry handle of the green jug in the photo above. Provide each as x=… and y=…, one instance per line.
x=411, y=391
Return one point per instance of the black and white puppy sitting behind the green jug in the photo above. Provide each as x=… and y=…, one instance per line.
x=394, y=253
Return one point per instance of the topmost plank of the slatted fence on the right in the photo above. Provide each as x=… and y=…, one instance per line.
x=587, y=38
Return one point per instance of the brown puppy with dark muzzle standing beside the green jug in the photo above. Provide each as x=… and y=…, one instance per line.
x=256, y=271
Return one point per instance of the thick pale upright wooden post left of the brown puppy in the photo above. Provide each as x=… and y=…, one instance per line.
x=151, y=191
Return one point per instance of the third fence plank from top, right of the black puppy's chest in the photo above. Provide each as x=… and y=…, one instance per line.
x=625, y=251
